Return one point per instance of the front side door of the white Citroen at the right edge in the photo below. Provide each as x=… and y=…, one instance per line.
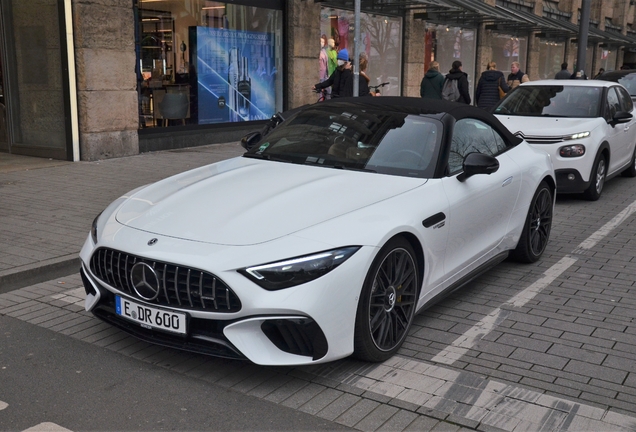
x=618, y=135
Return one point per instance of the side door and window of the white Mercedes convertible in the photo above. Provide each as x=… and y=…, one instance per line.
x=480, y=206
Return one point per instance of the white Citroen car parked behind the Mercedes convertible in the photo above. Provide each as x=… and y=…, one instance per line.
x=587, y=126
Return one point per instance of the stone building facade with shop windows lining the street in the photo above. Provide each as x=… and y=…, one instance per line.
x=95, y=79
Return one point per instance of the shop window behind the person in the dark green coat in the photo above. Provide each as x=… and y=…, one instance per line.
x=446, y=44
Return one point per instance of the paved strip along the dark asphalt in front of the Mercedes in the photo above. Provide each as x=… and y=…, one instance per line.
x=402, y=394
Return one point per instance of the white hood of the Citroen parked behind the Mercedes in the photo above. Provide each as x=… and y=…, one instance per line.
x=549, y=126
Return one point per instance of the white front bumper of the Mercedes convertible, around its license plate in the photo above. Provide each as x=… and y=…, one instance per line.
x=307, y=324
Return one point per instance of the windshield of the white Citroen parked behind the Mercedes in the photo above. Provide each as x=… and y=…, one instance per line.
x=552, y=101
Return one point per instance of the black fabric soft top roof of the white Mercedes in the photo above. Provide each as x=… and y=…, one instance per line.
x=414, y=105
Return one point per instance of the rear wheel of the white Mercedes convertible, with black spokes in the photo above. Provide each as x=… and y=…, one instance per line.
x=536, y=230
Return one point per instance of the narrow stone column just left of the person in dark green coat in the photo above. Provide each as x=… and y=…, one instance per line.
x=413, y=61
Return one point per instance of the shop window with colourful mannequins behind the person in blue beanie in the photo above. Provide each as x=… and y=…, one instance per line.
x=381, y=38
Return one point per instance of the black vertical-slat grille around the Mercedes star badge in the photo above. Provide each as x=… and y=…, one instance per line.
x=184, y=287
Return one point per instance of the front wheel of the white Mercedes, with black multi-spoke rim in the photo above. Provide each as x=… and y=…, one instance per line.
x=387, y=302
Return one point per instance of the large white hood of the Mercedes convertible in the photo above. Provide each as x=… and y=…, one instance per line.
x=244, y=201
